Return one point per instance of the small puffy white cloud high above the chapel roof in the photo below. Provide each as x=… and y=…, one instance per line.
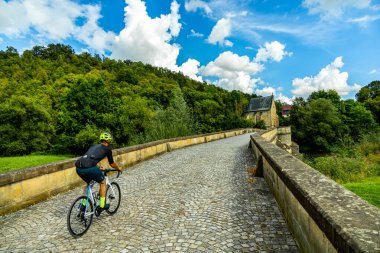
x=272, y=51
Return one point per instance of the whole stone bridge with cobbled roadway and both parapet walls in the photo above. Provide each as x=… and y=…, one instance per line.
x=202, y=198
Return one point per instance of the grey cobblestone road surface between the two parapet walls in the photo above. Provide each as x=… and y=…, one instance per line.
x=197, y=199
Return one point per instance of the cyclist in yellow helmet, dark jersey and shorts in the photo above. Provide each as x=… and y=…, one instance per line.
x=87, y=169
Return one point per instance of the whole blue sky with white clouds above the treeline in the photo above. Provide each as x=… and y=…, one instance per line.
x=285, y=48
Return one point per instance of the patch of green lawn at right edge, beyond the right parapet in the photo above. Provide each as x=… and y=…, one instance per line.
x=368, y=189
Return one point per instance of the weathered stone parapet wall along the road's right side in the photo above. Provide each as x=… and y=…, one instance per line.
x=322, y=215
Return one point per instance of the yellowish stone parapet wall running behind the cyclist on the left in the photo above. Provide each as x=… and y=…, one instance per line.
x=24, y=187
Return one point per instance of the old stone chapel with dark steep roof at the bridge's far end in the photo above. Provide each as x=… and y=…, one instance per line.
x=264, y=109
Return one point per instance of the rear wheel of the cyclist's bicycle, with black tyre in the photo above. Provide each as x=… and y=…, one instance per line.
x=79, y=217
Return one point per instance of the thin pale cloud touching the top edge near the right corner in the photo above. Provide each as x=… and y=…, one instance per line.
x=335, y=8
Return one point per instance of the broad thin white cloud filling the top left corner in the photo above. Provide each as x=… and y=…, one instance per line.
x=53, y=20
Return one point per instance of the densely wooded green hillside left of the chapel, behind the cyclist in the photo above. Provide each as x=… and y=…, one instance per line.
x=56, y=101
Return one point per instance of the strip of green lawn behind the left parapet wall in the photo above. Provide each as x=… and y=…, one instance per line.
x=19, y=162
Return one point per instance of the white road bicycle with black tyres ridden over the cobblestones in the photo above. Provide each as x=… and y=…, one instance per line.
x=80, y=215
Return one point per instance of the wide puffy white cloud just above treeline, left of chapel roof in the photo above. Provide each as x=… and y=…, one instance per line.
x=234, y=71
